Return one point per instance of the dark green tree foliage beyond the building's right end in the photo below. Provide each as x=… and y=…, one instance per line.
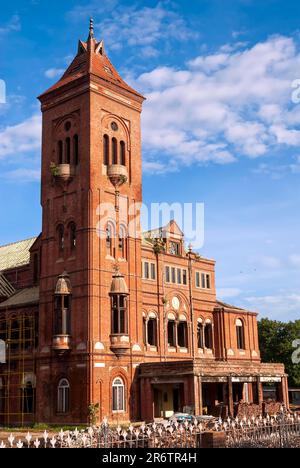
x=276, y=345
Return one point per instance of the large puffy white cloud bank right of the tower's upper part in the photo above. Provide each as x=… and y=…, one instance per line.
x=222, y=106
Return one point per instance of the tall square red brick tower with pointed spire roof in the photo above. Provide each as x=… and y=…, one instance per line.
x=90, y=324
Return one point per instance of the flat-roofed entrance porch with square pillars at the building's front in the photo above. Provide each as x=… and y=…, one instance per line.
x=215, y=388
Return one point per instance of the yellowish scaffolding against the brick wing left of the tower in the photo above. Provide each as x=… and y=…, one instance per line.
x=17, y=373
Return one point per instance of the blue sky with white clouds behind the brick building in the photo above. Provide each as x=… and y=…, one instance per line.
x=219, y=125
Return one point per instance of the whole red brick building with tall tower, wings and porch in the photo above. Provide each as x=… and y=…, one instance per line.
x=145, y=338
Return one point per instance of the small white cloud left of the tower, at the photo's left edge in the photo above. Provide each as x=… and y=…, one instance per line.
x=21, y=138
